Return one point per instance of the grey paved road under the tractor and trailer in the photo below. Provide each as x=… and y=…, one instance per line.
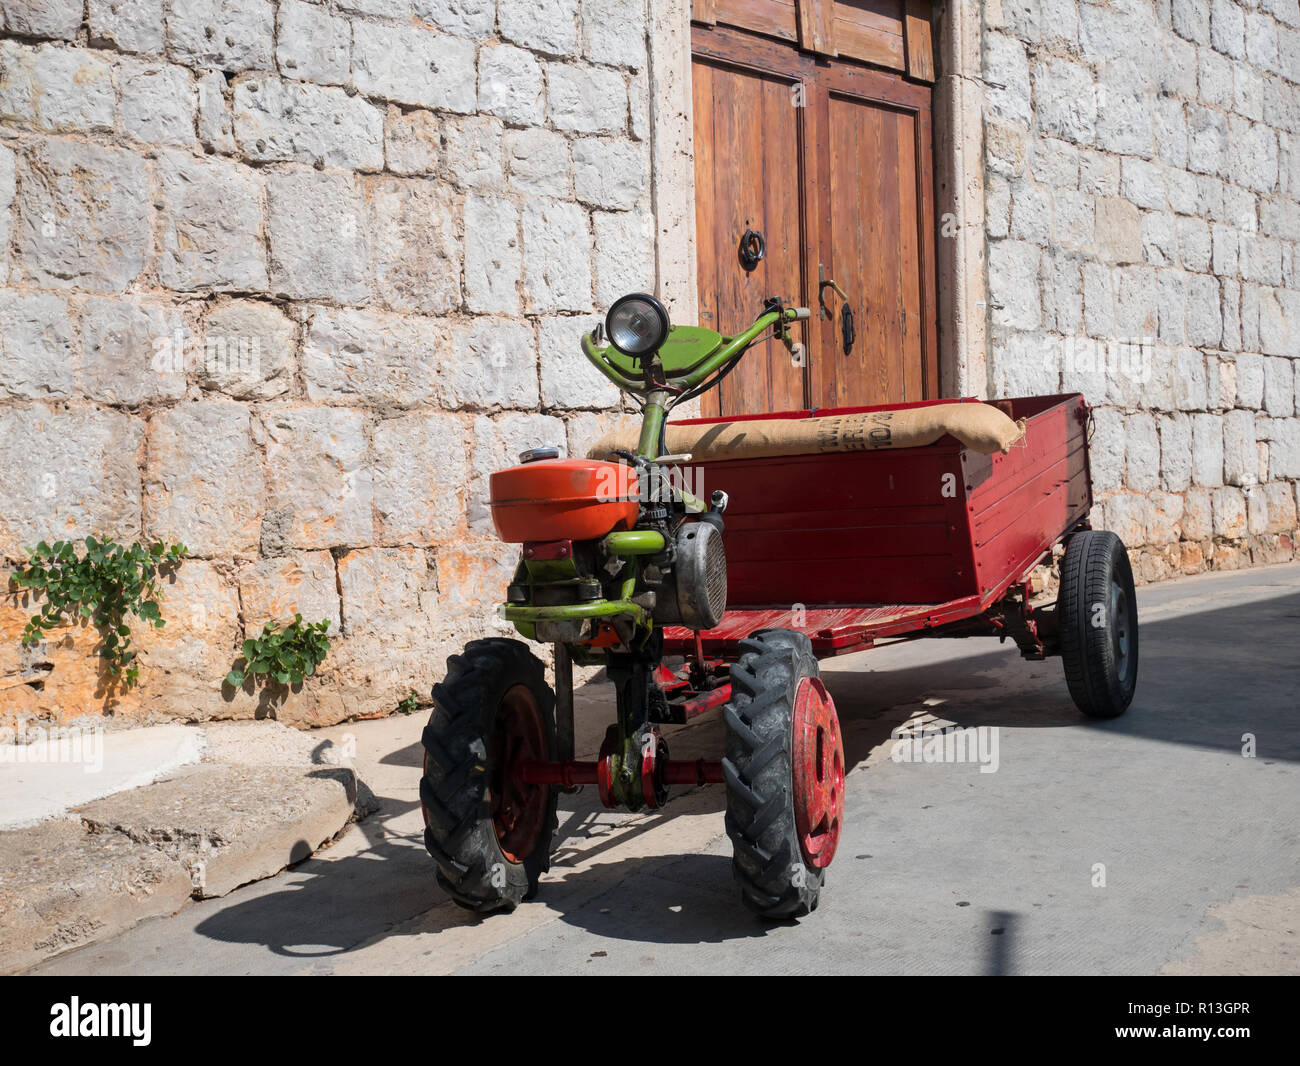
x=942, y=869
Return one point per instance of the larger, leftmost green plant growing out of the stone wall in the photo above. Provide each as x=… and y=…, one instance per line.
x=102, y=586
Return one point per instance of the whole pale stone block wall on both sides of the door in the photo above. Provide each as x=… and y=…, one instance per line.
x=285, y=280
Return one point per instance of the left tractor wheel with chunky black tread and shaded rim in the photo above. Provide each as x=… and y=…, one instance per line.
x=489, y=835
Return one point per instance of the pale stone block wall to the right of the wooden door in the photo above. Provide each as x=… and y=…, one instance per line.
x=1142, y=176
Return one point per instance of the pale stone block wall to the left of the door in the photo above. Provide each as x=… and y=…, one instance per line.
x=285, y=281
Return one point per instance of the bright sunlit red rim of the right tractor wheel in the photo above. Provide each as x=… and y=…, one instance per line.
x=818, y=773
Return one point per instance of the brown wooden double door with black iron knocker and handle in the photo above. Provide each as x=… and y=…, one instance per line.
x=831, y=161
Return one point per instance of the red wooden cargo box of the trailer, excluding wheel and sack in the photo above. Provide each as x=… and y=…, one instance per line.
x=856, y=547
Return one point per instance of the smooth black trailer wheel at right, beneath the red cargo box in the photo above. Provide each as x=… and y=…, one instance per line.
x=1098, y=614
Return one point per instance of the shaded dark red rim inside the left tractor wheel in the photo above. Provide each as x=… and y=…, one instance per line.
x=518, y=809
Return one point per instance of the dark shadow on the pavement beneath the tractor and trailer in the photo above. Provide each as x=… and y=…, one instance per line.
x=1206, y=681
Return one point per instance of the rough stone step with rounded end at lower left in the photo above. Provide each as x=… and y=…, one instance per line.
x=263, y=799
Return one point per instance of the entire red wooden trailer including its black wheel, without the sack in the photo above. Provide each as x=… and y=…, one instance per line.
x=852, y=549
